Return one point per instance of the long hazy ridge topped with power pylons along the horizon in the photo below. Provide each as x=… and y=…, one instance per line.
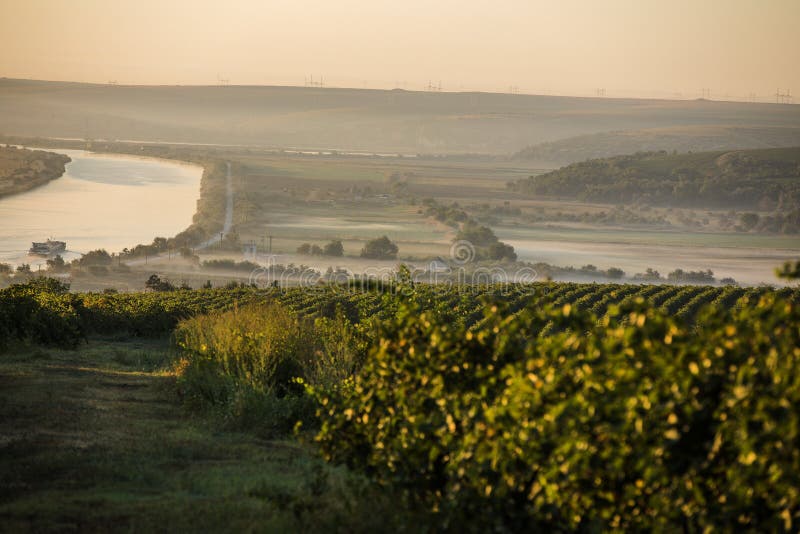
x=352, y=119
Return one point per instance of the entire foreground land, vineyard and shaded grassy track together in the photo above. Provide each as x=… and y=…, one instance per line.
x=508, y=398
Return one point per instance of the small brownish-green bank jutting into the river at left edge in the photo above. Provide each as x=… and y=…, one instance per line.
x=22, y=169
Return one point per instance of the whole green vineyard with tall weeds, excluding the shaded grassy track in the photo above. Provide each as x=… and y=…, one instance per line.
x=555, y=406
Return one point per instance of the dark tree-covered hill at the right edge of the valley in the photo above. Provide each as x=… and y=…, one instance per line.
x=765, y=179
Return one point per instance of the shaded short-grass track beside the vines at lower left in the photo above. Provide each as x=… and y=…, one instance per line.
x=97, y=440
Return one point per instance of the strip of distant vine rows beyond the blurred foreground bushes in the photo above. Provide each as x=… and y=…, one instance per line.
x=157, y=313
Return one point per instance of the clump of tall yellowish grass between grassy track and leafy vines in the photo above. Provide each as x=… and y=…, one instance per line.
x=250, y=363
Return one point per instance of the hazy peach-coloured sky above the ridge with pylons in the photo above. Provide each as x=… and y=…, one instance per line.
x=628, y=47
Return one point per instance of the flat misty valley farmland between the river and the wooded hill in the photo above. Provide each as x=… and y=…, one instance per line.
x=294, y=199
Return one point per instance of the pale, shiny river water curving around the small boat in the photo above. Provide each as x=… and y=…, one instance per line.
x=101, y=201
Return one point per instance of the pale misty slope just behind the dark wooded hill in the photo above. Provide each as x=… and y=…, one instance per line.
x=679, y=138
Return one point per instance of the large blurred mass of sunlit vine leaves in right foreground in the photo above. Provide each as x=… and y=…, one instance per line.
x=635, y=422
